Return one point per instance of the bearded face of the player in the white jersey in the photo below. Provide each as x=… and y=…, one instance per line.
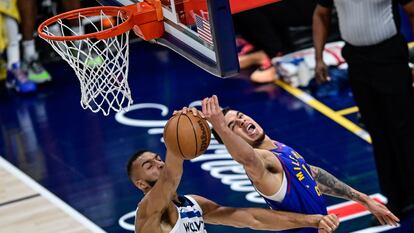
x=149, y=167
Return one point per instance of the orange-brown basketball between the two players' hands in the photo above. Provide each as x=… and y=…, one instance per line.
x=187, y=135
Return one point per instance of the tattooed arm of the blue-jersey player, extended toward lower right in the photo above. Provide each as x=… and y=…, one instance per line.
x=330, y=185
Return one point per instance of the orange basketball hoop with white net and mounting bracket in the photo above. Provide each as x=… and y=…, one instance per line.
x=100, y=59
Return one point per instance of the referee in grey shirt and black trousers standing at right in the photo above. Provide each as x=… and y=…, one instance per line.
x=381, y=81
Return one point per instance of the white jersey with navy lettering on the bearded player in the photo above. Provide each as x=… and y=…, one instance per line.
x=190, y=217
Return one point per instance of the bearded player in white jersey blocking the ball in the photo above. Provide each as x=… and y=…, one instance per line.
x=163, y=211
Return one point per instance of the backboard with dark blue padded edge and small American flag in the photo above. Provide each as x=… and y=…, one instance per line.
x=199, y=30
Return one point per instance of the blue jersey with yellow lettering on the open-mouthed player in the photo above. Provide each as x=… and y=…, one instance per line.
x=302, y=194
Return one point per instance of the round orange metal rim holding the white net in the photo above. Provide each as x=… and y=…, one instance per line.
x=91, y=11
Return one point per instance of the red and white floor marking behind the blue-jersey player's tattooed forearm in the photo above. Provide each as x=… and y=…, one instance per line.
x=350, y=209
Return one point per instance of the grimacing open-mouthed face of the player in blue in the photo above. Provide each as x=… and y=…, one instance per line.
x=245, y=127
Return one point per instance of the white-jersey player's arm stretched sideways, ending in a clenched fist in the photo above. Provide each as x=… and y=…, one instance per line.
x=262, y=219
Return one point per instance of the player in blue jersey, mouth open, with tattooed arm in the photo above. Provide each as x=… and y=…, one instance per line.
x=279, y=174
